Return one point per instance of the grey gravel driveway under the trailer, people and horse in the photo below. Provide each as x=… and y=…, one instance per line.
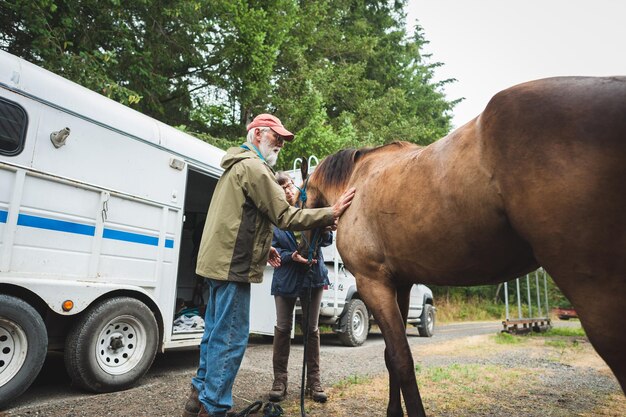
x=163, y=391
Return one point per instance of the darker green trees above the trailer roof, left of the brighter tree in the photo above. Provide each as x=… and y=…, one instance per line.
x=168, y=54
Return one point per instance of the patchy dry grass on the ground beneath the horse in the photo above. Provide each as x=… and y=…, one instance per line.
x=470, y=387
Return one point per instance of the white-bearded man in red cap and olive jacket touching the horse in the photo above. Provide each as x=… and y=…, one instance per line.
x=234, y=251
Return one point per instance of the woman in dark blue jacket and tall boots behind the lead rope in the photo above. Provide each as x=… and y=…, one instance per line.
x=292, y=279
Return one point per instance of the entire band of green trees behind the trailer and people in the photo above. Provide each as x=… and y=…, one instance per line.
x=340, y=73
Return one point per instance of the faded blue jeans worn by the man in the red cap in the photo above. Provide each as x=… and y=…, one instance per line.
x=226, y=330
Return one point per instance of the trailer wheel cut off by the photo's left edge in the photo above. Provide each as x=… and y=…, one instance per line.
x=23, y=347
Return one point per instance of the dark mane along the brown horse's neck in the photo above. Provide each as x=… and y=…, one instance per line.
x=335, y=170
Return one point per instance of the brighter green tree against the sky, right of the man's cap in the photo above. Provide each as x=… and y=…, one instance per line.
x=350, y=77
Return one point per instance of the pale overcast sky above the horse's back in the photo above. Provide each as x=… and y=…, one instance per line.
x=489, y=45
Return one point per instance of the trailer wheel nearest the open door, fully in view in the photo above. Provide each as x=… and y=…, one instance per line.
x=112, y=345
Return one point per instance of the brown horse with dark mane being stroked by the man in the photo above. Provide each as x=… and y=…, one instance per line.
x=539, y=178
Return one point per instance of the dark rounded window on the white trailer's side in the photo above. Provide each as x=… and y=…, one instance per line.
x=13, y=123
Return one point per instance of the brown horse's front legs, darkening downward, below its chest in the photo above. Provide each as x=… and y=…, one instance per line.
x=381, y=299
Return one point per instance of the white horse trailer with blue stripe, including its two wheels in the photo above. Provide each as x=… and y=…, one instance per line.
x=98, y=209
